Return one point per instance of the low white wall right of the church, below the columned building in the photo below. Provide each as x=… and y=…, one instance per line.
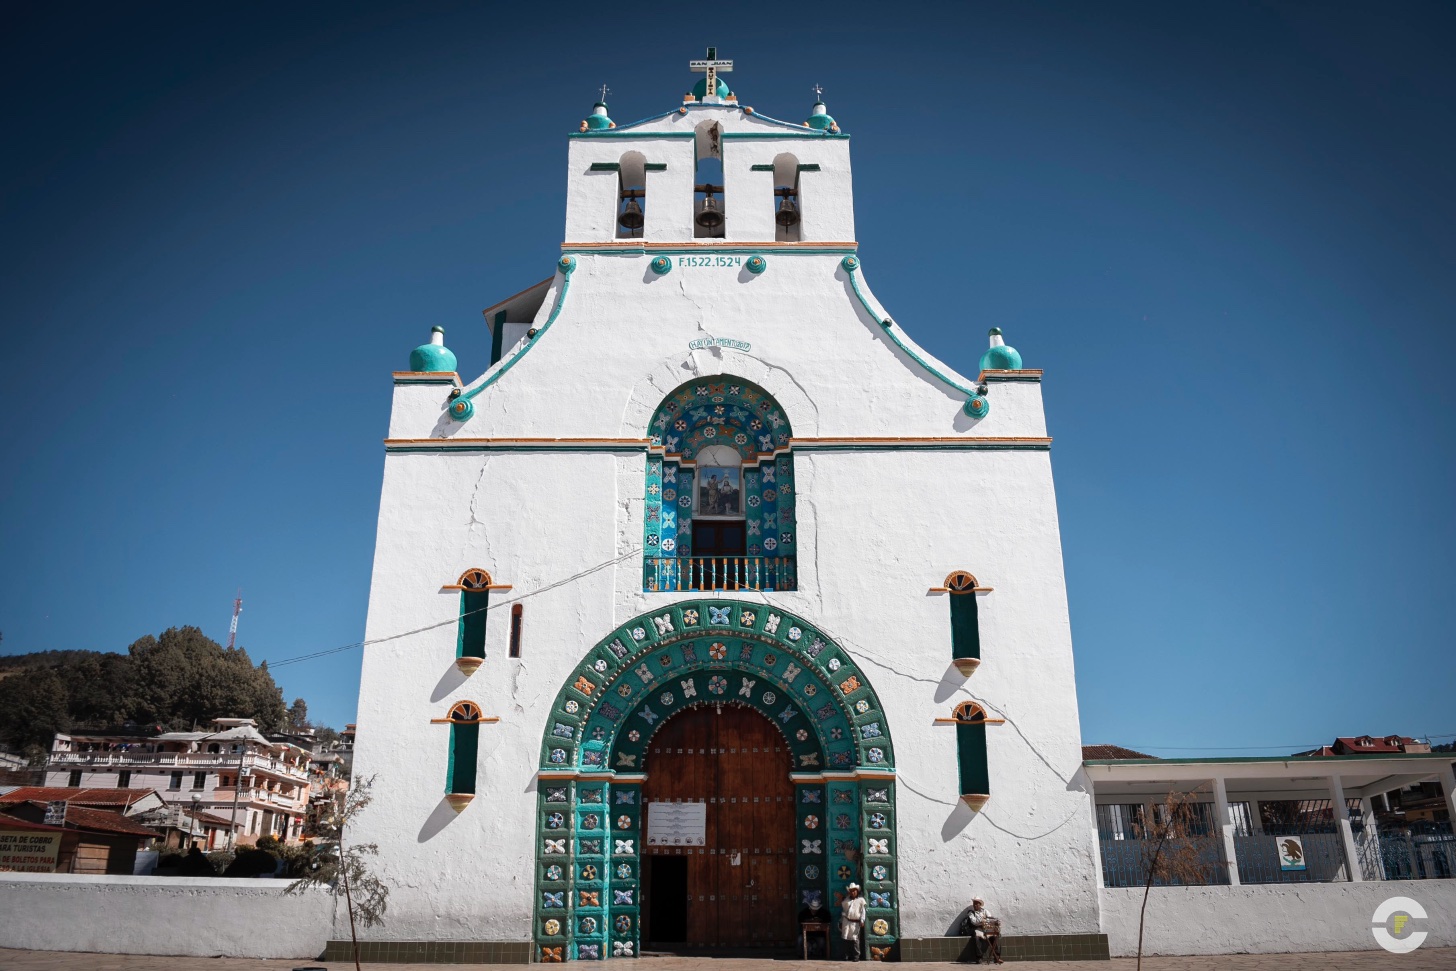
x=1270, y=919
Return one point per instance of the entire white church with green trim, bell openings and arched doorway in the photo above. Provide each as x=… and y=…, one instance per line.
x=758, y=599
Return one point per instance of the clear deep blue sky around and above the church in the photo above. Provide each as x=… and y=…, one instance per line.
x=1225, y=232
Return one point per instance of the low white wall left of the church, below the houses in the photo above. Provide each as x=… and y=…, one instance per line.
x=162, y=915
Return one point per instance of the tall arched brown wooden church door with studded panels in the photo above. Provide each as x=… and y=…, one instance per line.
x=736, y=890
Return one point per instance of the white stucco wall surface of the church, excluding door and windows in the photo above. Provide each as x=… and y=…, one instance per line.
x=877, y=528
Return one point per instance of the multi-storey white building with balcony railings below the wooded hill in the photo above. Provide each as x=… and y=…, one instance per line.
x=258, y=785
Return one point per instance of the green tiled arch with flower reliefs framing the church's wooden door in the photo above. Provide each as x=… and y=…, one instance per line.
x=590, y=815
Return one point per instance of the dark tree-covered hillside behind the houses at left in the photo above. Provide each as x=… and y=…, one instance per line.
x=175, y=681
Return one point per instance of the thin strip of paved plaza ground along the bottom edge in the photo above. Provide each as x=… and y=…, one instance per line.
x=1422, y=960
